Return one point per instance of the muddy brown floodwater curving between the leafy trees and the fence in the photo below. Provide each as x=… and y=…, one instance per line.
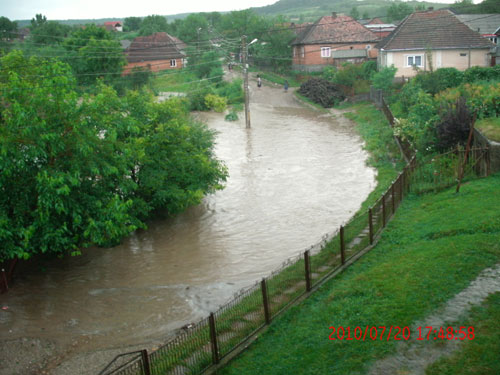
x=295, y=176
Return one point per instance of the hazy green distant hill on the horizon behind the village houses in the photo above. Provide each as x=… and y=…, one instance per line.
x=295, y=10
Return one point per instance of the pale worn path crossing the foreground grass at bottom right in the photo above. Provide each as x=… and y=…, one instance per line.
x=413, y=356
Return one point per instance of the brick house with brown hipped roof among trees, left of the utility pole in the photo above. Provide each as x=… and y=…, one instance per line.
x=156, y=52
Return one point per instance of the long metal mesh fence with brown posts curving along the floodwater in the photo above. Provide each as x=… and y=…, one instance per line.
x=202, y=345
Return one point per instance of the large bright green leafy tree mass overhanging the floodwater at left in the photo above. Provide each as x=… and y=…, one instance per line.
x=82, y=170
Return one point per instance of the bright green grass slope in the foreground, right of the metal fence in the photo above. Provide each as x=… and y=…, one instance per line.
x=432, y=249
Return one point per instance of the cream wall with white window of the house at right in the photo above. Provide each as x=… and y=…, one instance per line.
x=460, y=59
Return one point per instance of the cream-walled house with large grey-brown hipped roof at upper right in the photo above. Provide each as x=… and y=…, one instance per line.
x=433, y=39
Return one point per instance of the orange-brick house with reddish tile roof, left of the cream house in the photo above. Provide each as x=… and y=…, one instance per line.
x=332, y=40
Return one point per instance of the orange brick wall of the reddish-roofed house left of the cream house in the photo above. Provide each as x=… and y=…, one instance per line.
x=312, y=60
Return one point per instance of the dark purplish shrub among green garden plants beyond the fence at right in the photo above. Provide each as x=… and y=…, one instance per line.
x=454, y=125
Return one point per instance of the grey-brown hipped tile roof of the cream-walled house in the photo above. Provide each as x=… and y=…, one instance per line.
x=439, y=29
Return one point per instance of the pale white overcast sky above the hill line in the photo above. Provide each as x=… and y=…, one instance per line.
x=88, y=9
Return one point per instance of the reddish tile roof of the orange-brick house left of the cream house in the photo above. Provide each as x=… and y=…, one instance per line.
x=335, y=29
